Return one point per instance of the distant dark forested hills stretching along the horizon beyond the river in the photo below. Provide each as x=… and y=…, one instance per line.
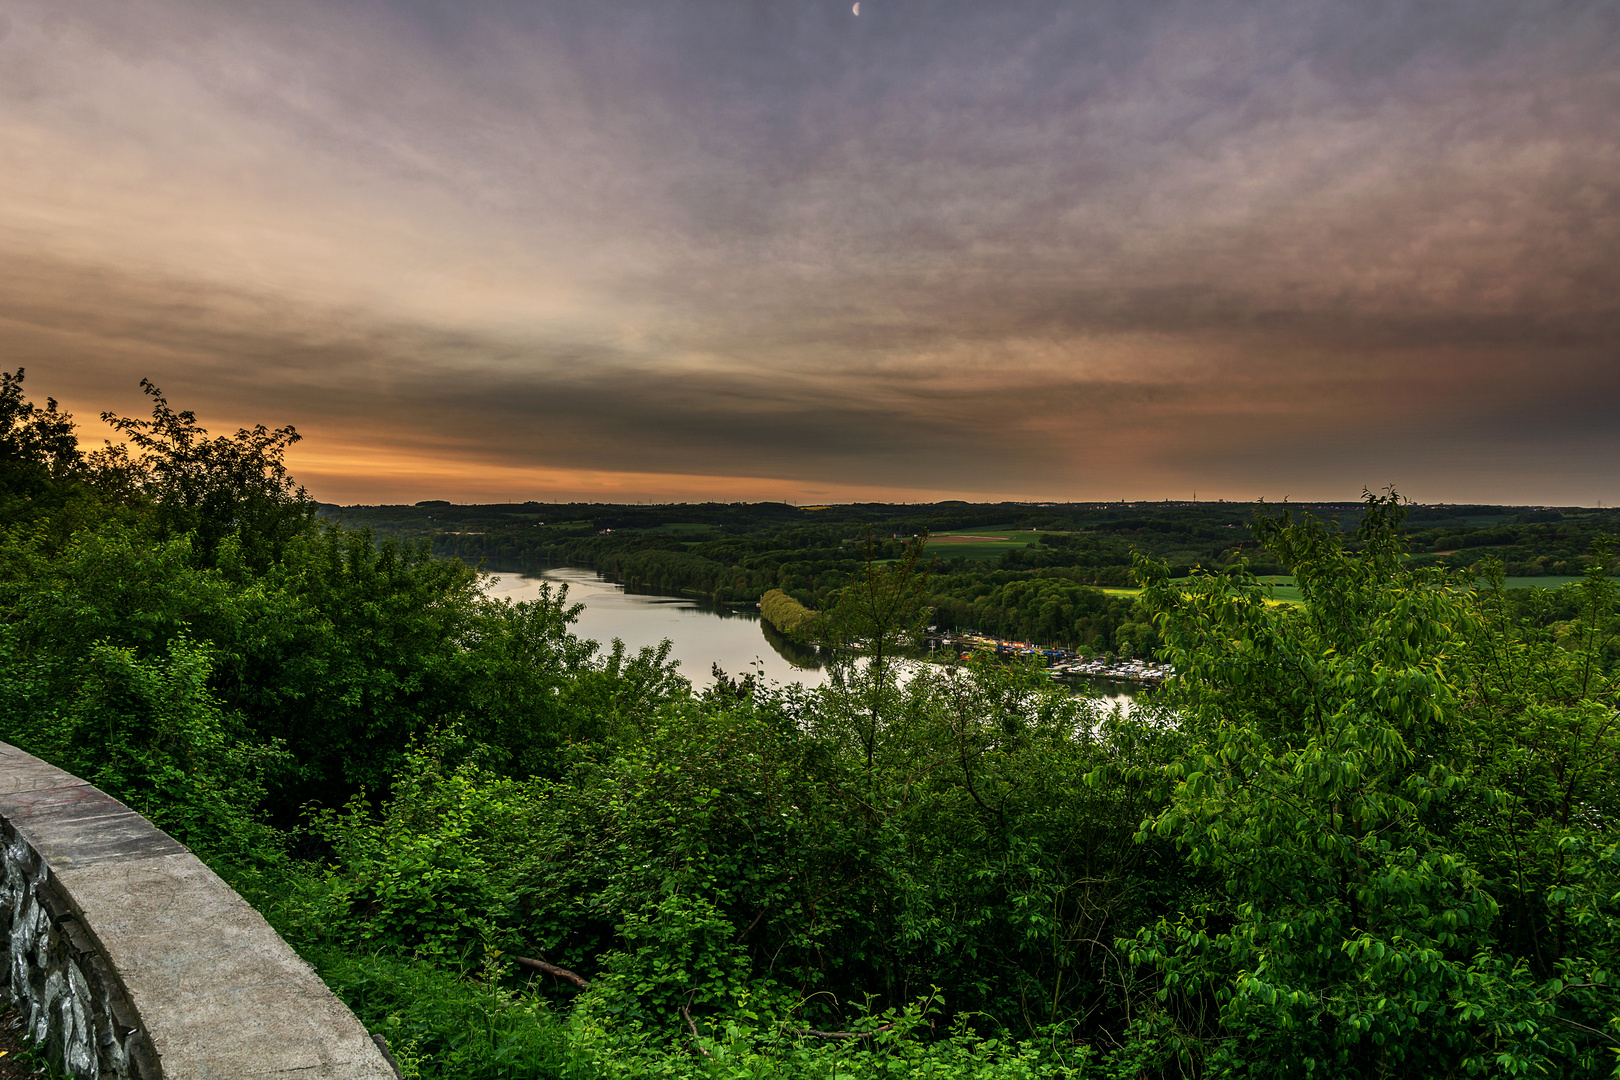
x=762, y=537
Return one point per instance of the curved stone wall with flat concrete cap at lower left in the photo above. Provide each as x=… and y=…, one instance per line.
x=135, y=961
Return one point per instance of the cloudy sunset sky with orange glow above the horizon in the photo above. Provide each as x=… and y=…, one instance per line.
x=683, y=250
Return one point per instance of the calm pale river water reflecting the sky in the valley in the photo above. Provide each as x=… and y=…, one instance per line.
x=701, y=636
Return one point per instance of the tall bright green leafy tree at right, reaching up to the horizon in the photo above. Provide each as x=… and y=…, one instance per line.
x=1341, y=789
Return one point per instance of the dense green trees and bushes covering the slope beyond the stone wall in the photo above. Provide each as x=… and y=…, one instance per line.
x=1368, y=836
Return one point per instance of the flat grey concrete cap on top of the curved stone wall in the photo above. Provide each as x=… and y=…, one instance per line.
x=216, y=990
